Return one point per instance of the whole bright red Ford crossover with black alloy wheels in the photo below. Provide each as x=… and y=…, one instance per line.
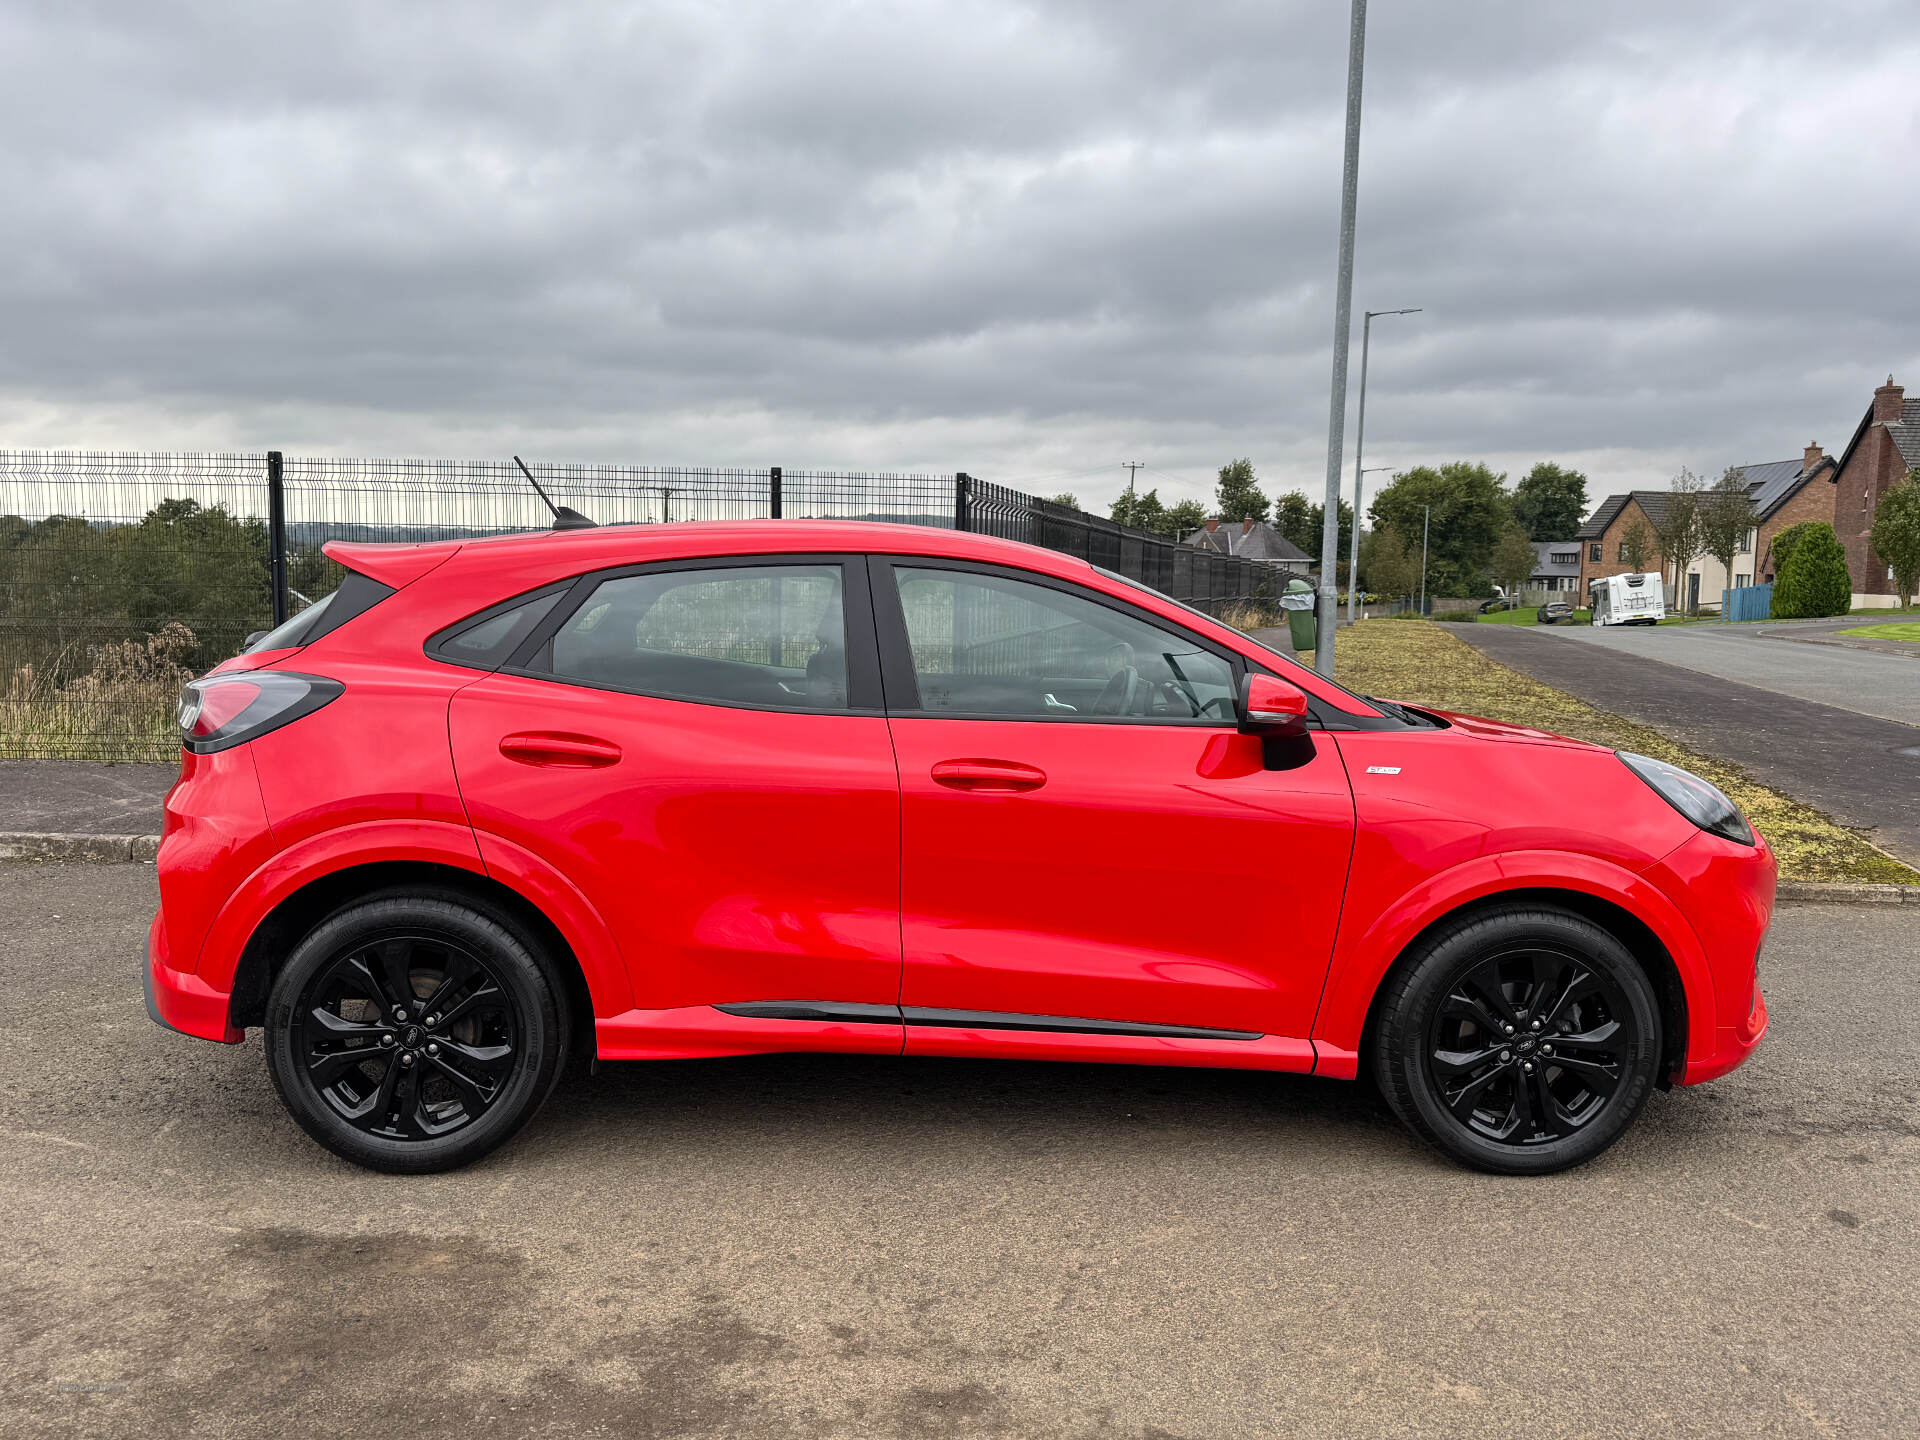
x=717, y=790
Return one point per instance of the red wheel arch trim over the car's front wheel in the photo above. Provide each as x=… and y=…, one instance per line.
x=1368, y=949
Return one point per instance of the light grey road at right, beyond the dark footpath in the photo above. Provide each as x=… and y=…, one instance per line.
x=1865, y=683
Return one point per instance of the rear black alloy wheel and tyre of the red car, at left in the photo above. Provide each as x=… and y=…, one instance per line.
x=433, y=1092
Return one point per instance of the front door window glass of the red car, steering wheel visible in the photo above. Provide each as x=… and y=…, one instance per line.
x=992, y=646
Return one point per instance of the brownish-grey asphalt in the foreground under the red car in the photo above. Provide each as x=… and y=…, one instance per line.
x=832, y=1247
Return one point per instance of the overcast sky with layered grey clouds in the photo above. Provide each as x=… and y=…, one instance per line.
x=1028, y=241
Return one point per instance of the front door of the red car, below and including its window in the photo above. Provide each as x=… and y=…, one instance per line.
x=1086, y=834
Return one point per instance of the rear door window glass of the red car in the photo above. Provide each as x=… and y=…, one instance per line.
x=763, y=635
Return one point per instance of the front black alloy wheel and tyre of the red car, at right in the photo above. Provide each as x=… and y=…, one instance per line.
x=1520, y=1042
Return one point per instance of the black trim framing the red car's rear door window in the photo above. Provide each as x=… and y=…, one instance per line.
x=857, y=613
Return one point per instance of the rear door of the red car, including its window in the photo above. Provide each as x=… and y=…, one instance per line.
x=700, y=748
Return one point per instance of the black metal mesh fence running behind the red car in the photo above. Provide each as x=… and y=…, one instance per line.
x=126, y=575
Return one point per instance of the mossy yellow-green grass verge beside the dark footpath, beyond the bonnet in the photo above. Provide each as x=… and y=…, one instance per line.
x=1424, y=665
